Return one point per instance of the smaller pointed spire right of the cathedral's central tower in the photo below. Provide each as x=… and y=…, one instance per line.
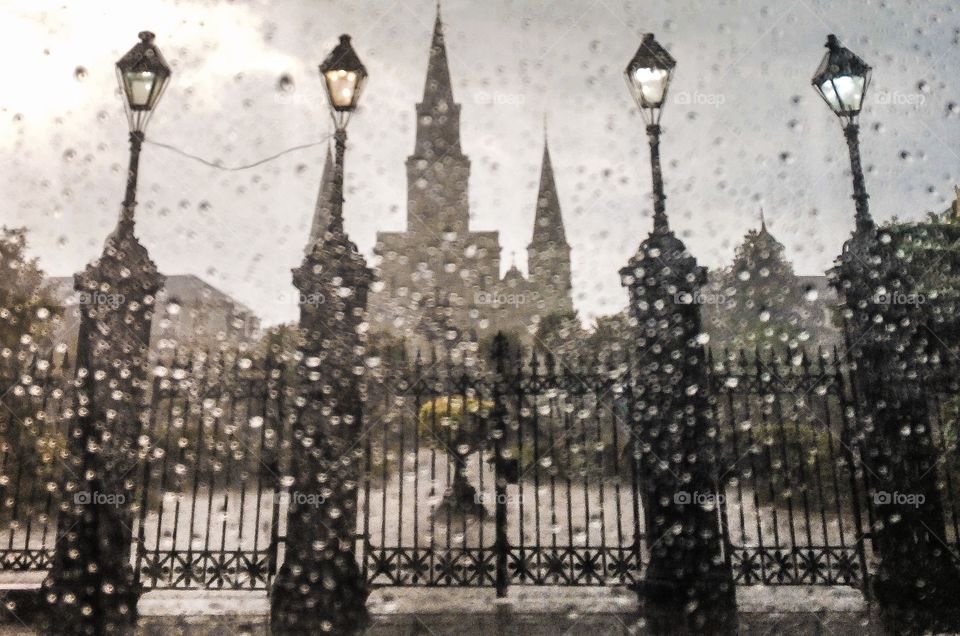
x=548, y=254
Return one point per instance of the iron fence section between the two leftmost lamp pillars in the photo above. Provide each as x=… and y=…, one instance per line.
x=212, y=495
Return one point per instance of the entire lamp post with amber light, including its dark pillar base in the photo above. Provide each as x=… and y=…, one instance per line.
x=320, y=588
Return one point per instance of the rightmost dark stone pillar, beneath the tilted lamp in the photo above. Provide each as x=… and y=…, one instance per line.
x=917, y=580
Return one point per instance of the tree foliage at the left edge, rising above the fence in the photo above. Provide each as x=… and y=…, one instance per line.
x=27, y=308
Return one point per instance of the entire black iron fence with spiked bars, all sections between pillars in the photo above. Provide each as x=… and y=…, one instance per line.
x=472, y=477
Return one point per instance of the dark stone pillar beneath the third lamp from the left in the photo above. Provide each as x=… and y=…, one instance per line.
x=688, y=585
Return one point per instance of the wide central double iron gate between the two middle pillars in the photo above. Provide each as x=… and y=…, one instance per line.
x=526, y=476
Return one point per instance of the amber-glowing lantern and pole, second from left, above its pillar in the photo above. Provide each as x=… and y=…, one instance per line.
x=344, y=76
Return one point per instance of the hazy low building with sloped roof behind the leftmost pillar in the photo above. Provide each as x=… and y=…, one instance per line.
x=189, y=313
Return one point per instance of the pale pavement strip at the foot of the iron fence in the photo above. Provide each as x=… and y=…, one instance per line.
x=530, y=611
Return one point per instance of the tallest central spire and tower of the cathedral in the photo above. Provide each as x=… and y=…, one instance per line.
x=437, y=171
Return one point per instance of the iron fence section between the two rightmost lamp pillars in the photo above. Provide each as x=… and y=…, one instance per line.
x=794, y=501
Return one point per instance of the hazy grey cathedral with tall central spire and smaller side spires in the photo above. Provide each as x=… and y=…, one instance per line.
x=439, y=279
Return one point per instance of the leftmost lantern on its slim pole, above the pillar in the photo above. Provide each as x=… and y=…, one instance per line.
x=143, y=75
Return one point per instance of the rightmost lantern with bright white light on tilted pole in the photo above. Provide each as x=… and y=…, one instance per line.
x=842, y=80
